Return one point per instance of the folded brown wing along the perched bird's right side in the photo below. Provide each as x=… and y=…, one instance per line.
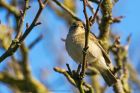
x=107, y=59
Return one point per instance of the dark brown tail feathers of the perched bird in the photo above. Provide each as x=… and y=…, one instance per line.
x=109, y=78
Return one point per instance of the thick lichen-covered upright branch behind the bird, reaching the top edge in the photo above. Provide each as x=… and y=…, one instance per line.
x=106, y=20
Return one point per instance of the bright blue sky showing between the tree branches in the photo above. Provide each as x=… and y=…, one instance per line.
x=45, y=55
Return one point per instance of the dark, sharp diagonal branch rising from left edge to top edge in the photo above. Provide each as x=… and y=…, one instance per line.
x=17, y=42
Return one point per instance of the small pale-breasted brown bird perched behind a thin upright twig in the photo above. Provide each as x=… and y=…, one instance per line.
x=96, y=57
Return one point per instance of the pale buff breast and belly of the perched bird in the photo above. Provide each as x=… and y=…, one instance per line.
x=75, y=45
